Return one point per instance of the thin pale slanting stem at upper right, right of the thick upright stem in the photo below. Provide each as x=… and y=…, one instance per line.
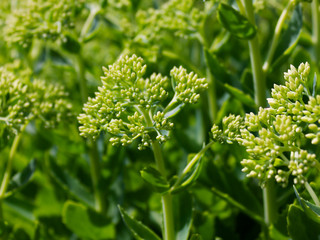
x=277, y=33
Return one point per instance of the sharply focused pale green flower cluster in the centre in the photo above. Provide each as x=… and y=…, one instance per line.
x=129, y=106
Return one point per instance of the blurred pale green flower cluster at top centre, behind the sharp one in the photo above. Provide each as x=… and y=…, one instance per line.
x=180, y=17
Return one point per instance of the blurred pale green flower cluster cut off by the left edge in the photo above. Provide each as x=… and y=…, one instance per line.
x=22, y=101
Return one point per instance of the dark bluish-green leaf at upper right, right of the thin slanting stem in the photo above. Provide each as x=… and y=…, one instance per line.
x=289, y=38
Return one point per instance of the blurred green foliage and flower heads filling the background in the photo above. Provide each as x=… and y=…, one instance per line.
x=66, y=41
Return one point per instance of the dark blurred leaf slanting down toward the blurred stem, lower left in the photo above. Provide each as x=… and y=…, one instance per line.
x=71, y=184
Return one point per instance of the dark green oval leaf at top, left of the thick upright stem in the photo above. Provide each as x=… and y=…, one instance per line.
x=235, y=22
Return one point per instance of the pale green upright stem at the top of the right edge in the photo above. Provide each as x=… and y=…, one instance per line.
x=316, y=29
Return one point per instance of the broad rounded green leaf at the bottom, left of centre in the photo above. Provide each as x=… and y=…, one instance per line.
x=87, y=223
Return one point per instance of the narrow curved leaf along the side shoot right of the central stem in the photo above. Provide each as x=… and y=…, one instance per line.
x=191, y=176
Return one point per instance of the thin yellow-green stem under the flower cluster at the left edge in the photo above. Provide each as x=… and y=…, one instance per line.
x=8, y=171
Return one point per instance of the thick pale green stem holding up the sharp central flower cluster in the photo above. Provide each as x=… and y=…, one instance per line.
x=166, y=198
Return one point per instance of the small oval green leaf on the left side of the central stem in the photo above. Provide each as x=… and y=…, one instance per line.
x=155, y=179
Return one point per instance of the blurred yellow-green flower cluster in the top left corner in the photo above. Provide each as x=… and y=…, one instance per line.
x=34, y=19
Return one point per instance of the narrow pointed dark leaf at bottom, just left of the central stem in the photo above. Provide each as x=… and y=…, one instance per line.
x=138, y=229
